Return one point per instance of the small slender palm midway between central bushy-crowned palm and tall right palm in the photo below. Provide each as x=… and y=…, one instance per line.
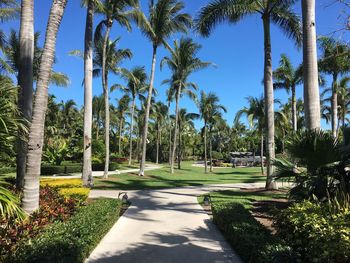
x=209, y=107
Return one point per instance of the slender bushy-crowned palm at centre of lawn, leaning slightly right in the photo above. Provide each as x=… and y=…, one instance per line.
x=182, y=63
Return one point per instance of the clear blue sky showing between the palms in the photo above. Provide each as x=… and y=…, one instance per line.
x=237, y=50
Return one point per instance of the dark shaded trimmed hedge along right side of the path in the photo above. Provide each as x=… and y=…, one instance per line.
x=251, y=240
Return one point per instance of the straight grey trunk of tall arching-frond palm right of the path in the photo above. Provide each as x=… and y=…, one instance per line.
x=269, y=104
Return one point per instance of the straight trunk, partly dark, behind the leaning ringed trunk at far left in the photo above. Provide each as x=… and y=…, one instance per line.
x=25, y=82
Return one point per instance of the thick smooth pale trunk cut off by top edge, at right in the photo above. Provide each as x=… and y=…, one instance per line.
x=310, y=67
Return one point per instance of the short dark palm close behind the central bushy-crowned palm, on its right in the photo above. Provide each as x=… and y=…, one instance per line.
x=185, y=119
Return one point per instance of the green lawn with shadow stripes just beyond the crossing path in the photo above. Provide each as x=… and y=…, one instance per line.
x=187, y=176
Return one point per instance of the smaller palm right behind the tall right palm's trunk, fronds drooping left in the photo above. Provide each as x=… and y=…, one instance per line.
x=256, y=117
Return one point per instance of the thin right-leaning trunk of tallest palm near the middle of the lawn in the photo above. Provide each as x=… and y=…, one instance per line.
x=148, y=106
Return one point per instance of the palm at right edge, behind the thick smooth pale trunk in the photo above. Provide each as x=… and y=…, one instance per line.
x=334, y=61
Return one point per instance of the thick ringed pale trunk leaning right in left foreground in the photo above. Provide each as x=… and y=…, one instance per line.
x=30, y=200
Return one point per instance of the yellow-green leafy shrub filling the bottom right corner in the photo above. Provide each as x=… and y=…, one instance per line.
x=317, y=233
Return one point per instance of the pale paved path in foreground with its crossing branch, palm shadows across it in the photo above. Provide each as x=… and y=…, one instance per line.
x=165, y=226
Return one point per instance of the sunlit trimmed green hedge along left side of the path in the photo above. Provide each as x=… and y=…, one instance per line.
x=73, y=240
